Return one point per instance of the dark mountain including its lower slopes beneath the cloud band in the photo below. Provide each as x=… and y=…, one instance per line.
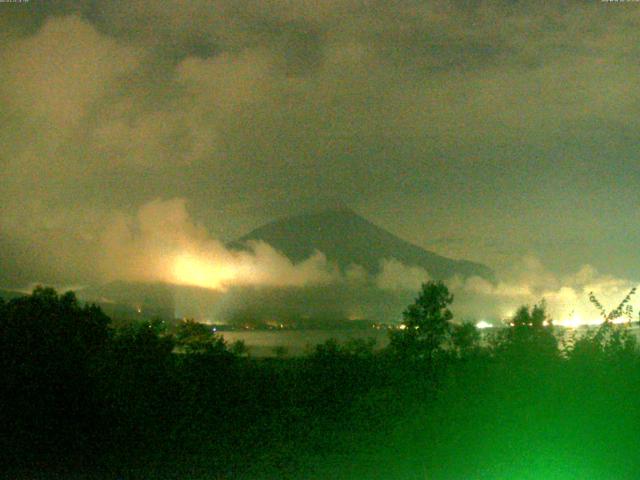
x=342, y=235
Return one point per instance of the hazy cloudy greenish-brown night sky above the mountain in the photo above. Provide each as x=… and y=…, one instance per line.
x=501, y=132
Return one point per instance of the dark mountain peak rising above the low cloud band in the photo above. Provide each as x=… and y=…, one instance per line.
x=346, y=238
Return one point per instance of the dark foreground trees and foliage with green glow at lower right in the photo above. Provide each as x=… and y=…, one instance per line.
x=83, y=400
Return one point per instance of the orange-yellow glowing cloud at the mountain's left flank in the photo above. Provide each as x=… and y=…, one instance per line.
x=162, y=244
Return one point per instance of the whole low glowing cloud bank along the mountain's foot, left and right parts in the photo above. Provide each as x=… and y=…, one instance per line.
x=162, y=243
